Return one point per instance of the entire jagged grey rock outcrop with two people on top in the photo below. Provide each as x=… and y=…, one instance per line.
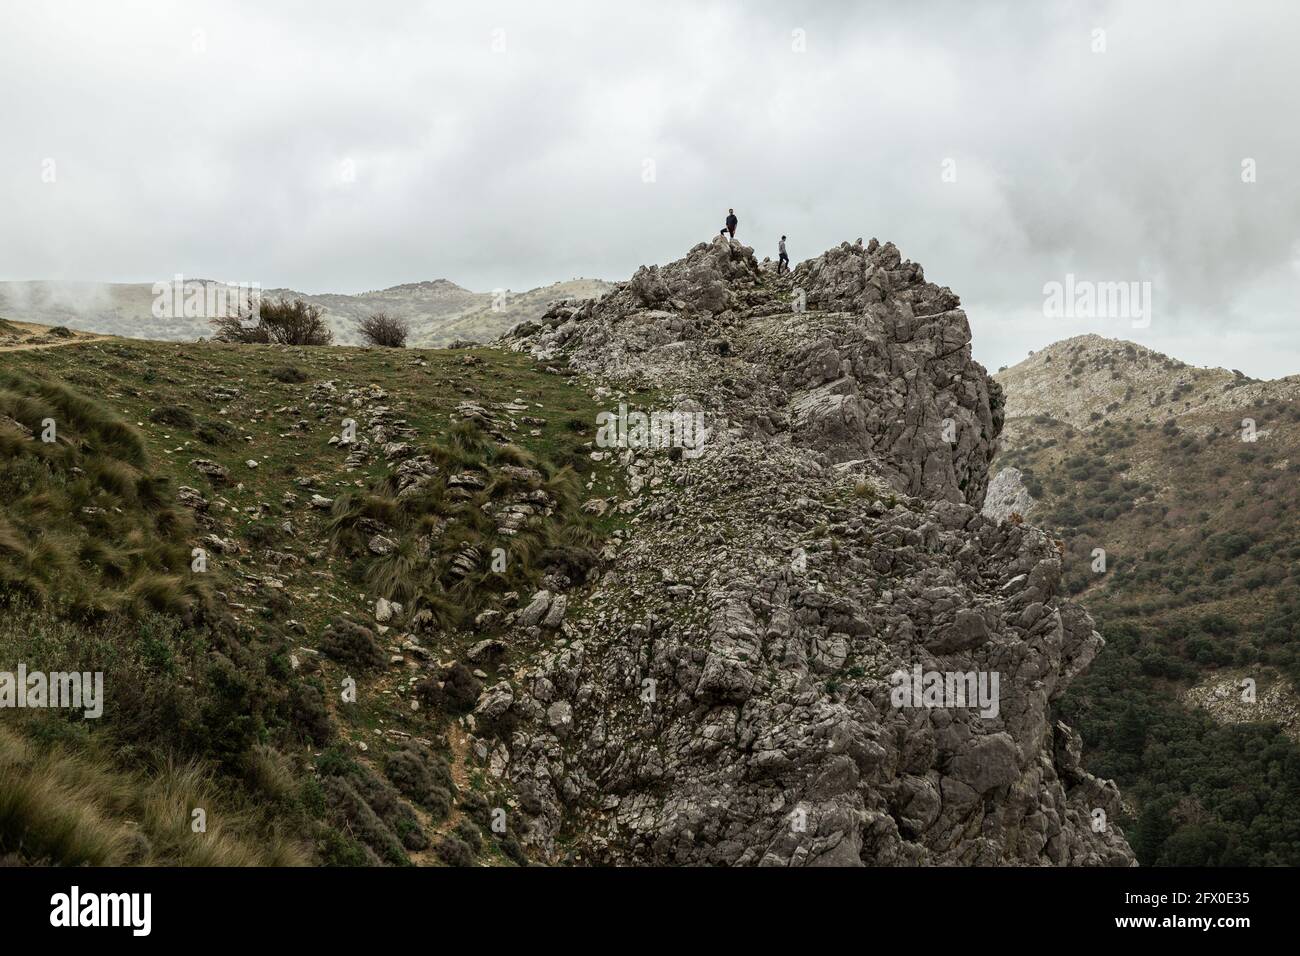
x=727, y=693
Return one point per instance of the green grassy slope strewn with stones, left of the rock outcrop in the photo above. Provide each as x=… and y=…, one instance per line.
x=206, y=534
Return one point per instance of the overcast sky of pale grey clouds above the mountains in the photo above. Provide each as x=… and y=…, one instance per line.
x=349, y=146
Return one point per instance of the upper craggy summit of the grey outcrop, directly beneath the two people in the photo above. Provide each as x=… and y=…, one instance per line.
x=853, y=356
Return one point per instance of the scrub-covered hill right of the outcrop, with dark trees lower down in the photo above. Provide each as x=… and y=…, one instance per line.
x=1145, y=458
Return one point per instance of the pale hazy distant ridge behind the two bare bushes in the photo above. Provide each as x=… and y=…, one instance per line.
x=439, y=312
